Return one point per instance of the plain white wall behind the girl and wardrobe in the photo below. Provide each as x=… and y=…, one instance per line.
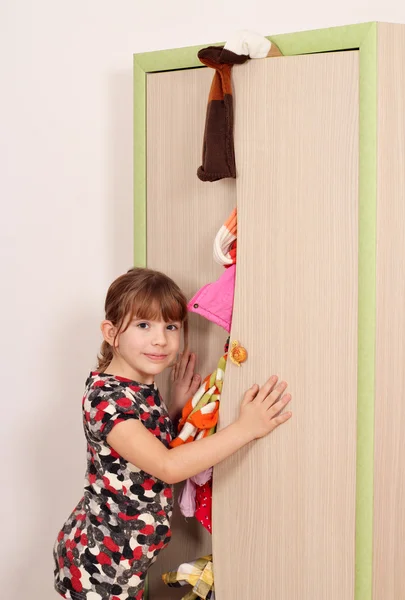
x=66, y=224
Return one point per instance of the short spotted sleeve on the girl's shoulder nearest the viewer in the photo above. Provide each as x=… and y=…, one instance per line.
x=102, y=410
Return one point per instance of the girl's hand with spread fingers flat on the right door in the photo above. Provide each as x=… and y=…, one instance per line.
x=261, y=407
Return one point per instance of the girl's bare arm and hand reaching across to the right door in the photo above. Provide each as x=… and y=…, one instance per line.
x=259, y=415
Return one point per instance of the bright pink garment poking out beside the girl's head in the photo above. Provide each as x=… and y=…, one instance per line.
x=214, y=301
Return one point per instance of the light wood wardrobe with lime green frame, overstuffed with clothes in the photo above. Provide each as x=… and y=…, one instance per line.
x=315, y=510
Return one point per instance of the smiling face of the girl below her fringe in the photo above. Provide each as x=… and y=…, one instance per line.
x=146, y=348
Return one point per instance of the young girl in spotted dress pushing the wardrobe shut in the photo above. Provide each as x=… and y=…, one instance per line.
x=115, y=533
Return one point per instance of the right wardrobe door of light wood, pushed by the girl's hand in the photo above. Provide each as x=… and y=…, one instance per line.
x=284, y=507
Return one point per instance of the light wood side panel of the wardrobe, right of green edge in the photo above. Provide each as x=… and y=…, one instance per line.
x=389, y=456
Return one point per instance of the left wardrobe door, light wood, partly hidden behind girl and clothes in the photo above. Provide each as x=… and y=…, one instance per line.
x=183, y=217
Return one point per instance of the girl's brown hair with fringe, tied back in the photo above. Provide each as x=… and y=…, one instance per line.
x=145, y=294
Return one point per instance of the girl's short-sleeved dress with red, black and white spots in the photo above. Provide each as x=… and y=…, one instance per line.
x=122, y=522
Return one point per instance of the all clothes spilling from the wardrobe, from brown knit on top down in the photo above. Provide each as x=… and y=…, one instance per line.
x=214, y=301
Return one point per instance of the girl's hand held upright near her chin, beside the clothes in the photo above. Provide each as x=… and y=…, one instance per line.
x=184, y=383
